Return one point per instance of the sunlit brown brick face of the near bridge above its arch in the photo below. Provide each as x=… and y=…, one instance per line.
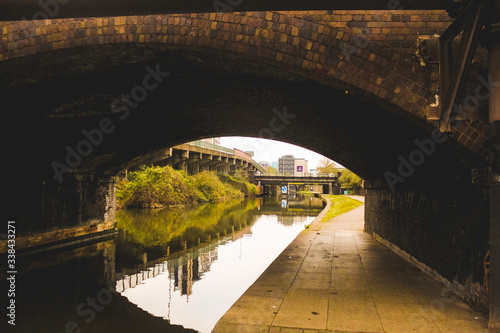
x=373, y=54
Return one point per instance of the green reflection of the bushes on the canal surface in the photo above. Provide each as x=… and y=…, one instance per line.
x=151, y=228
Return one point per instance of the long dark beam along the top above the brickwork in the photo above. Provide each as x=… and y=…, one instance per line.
x=16, y=10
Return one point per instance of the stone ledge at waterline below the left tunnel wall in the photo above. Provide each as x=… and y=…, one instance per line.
x=60, y=238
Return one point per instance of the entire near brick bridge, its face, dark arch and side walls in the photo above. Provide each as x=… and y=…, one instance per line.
x=85, y=98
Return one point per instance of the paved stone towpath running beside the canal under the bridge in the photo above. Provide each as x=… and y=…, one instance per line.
x=335, y=278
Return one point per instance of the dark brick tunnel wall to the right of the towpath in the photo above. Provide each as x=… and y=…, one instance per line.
x=444, y=232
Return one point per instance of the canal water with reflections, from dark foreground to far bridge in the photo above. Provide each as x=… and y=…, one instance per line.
x=171, y=270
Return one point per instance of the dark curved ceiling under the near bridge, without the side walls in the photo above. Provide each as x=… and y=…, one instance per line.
x=53, y=96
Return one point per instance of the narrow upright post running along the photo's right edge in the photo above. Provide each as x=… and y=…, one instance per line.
x=493, y=40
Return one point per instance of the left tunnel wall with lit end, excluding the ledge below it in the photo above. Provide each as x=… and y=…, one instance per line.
x=42, y=204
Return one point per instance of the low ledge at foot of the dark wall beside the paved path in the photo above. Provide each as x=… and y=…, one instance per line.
x=472, y=293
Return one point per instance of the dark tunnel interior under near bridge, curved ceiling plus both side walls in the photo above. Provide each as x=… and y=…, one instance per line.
x=79, y=116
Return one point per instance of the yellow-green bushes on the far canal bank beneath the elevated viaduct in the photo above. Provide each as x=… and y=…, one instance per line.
x=159, y=187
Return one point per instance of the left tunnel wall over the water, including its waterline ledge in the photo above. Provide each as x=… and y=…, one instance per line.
x=47, y=211
